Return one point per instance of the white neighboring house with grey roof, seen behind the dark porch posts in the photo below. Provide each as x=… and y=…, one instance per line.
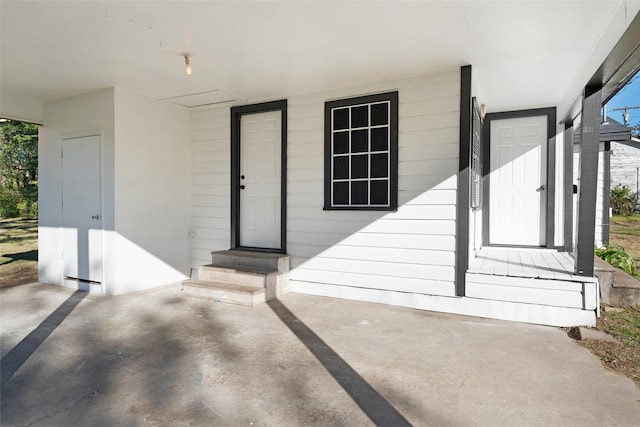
x=614, y=160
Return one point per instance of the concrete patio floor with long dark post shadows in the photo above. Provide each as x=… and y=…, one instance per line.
x=160, y=358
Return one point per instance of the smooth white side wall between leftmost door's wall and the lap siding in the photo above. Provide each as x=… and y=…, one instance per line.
x=152, y=200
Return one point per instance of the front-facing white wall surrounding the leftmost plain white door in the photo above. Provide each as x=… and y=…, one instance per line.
x=86, y=114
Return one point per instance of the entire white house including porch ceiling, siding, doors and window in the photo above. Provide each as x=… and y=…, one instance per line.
x=362, y=151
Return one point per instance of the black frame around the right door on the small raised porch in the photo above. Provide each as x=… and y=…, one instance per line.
x=550, y=113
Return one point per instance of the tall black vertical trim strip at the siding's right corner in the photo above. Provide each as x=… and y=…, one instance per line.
x=464, y=194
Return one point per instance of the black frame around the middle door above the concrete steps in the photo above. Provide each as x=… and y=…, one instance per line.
x=236, y=116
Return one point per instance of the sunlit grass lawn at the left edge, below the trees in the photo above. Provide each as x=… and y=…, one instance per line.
x=18, y=251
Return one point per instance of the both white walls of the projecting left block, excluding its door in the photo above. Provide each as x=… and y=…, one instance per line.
x=145, y=187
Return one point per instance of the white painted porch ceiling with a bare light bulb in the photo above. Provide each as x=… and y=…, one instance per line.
x=524, y=54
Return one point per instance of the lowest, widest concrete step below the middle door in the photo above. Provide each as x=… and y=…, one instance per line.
x=233, y=293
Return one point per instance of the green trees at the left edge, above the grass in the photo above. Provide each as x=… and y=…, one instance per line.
x=18, y=169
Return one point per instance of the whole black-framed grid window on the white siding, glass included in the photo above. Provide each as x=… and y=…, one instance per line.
x=361, y=153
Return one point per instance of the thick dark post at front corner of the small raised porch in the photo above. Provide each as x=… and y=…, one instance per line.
x=589, y=145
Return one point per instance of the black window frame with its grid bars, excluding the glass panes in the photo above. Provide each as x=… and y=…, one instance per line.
x=392, y=171
